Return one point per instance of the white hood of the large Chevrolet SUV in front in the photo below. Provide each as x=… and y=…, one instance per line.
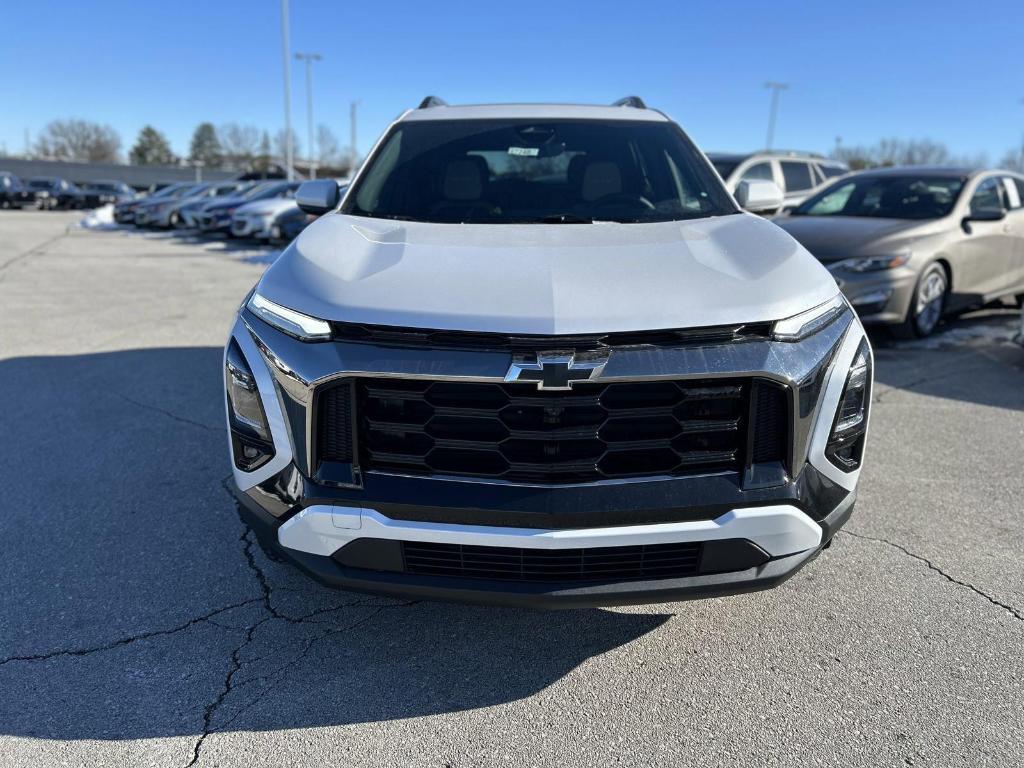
x=547, y=279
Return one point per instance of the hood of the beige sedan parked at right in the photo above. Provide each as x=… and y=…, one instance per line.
x=834, y=238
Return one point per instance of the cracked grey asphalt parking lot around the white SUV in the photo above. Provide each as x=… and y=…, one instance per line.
x=143, y=625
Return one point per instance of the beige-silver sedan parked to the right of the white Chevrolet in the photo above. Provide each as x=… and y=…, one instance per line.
x=911, y=245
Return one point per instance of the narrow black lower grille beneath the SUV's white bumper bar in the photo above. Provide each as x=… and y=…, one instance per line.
x=515, y=565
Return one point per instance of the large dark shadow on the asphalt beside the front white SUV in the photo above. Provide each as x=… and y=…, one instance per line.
x=138, y=605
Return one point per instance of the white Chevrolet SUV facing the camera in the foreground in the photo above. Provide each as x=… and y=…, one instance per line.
x=538, y=356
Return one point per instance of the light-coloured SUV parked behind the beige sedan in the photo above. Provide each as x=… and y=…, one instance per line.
x=796, y=174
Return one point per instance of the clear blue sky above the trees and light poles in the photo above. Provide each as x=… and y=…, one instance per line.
x=952, y=72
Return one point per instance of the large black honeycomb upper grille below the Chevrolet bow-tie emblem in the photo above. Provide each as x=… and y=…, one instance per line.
x=518, y=433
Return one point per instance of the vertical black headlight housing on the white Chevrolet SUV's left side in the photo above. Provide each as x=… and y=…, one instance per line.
x=251, y=444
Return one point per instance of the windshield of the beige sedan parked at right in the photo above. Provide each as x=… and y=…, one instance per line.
x=886, y=197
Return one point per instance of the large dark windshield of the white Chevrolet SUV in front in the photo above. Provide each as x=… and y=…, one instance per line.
x=514, y=172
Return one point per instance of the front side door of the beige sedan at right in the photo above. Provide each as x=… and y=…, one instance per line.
x=986, y=249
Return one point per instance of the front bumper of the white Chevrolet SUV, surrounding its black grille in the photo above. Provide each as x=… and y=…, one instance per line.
x=318, y=524
